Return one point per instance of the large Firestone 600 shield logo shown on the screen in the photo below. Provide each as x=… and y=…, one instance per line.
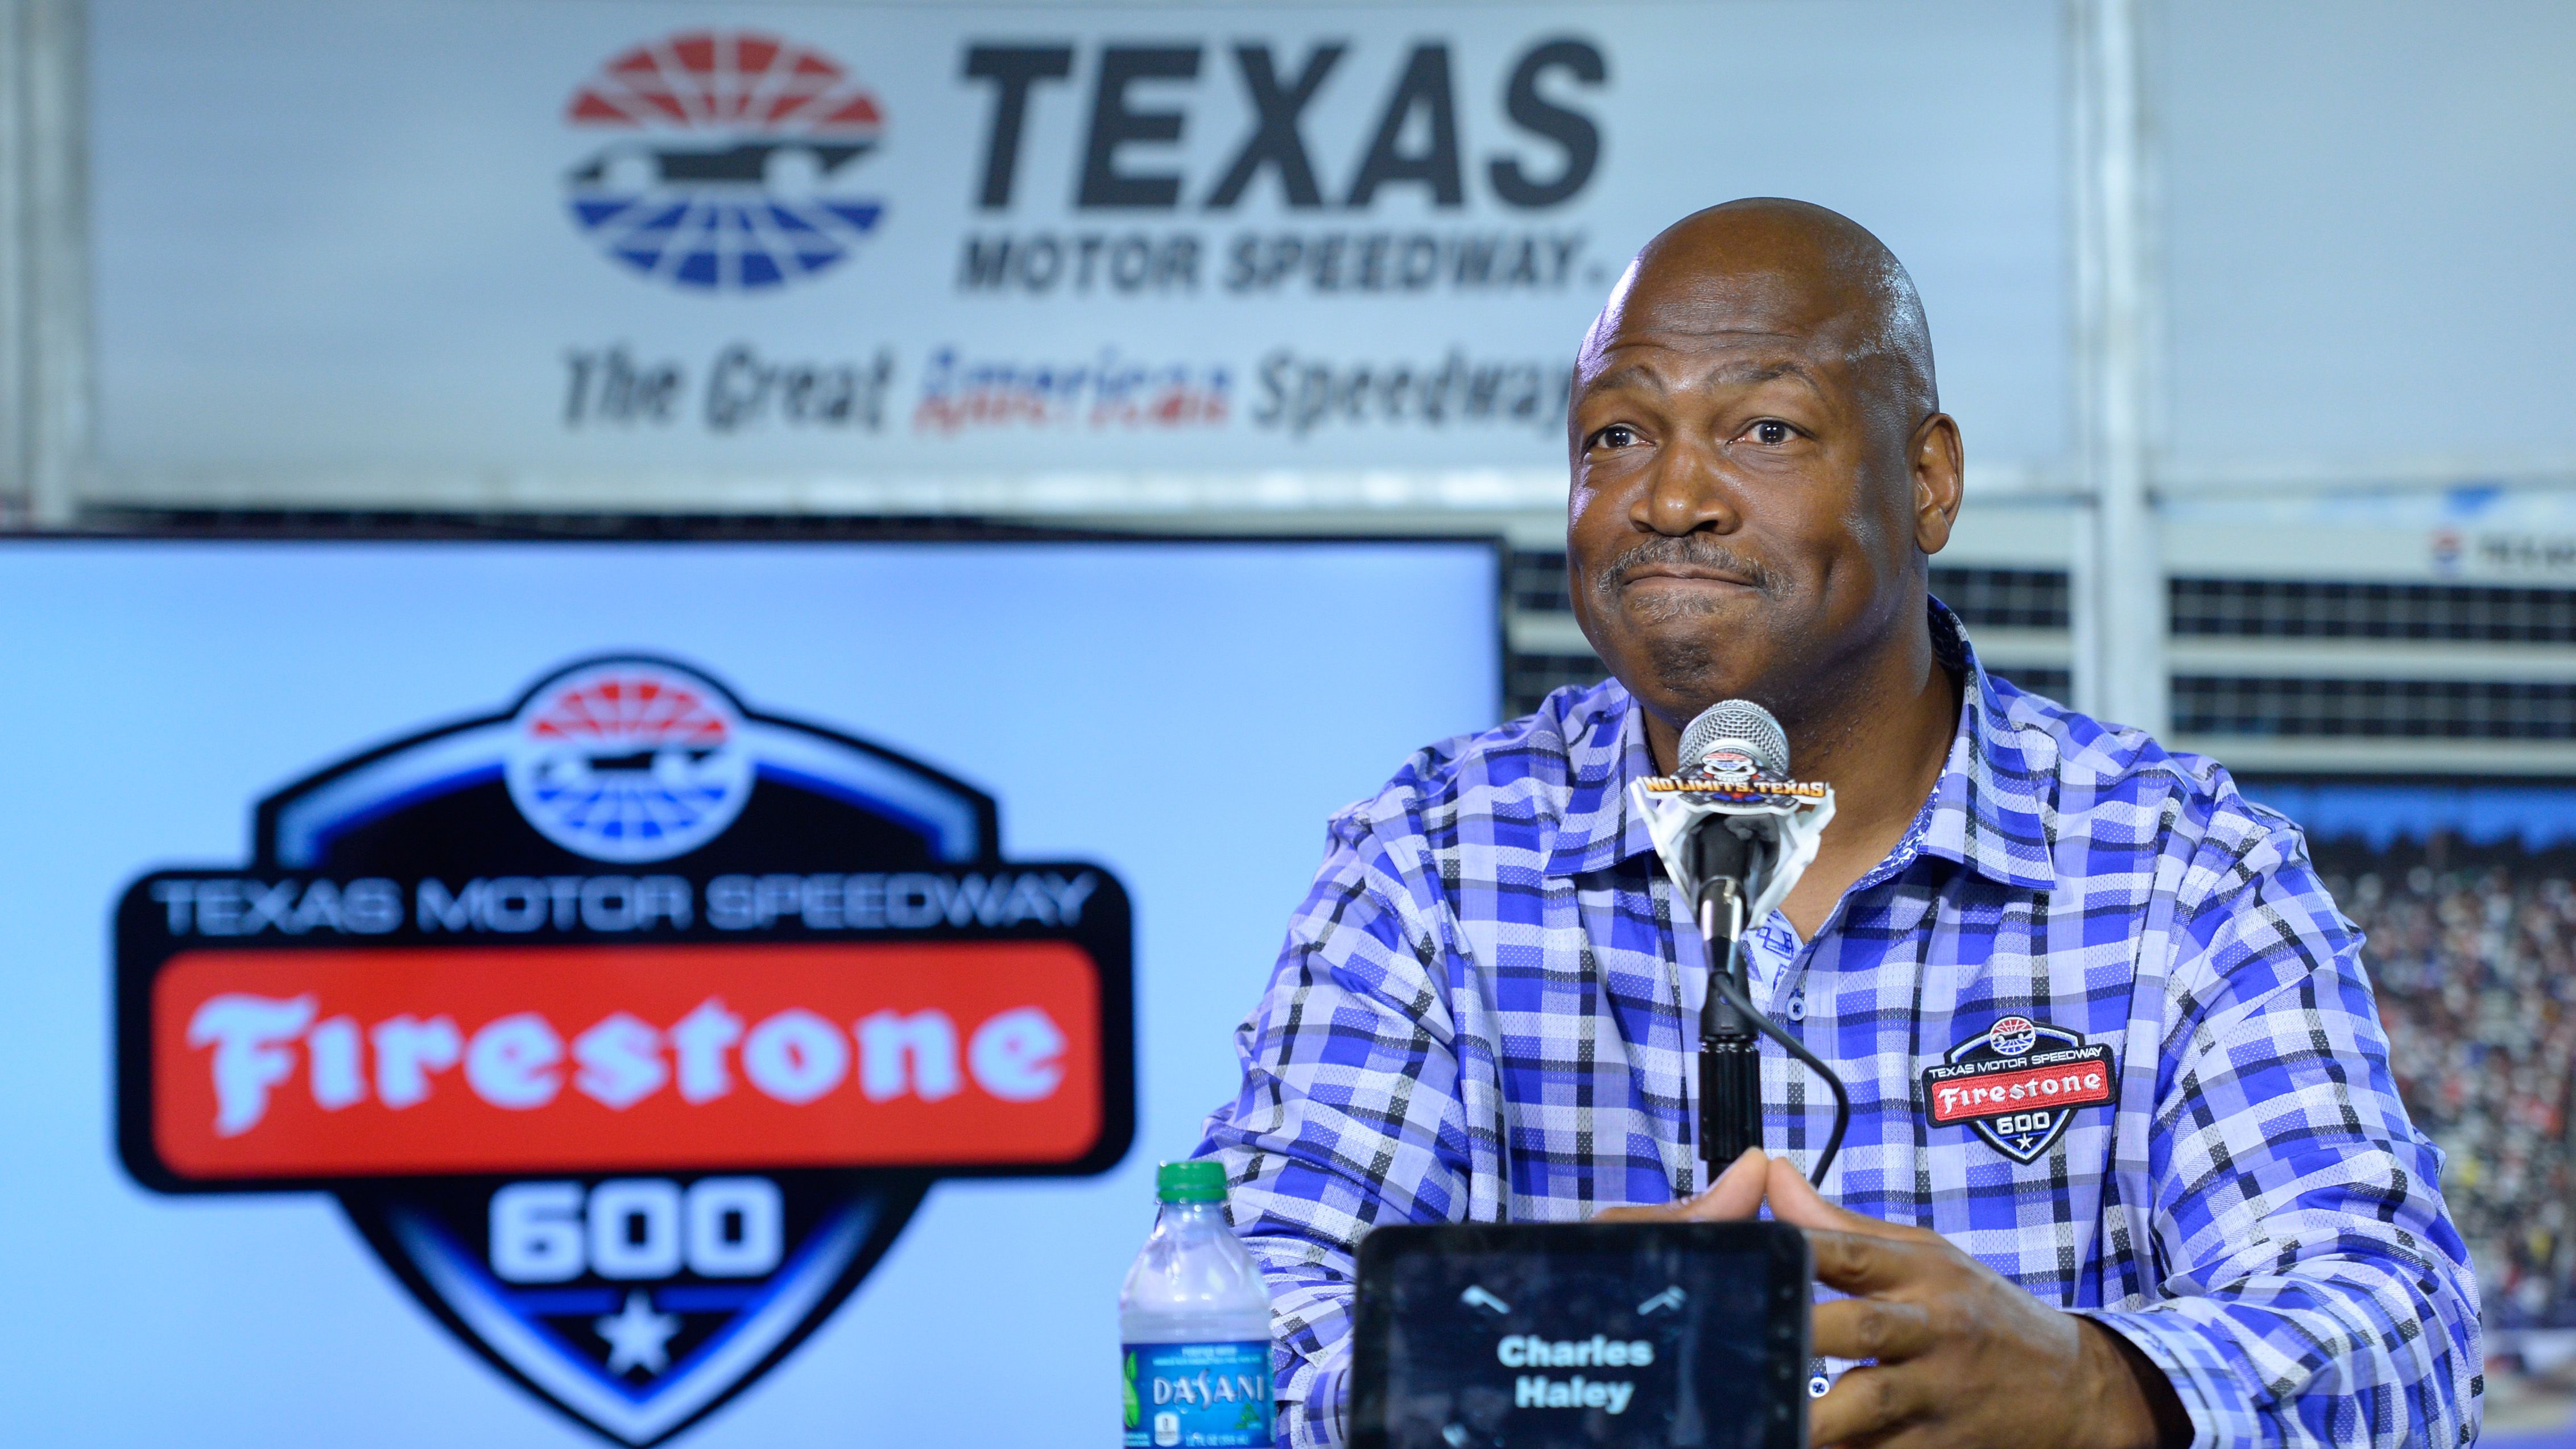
x=627, y=1026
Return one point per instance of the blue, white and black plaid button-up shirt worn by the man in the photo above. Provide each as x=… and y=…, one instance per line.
x=1485, y=1013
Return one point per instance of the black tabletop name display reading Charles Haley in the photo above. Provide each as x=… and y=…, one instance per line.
x=1583, y=1334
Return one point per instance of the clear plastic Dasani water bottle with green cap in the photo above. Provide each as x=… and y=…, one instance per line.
x=1197, y=1324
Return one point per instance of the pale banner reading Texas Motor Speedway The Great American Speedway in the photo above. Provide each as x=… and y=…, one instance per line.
x=931, y=256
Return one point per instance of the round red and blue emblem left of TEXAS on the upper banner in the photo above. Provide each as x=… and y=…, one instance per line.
x=730, y=158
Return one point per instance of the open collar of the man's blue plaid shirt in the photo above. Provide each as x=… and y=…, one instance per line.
x=1985, y=815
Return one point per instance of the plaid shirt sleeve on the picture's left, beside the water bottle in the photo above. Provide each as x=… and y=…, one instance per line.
x=1354, y=1111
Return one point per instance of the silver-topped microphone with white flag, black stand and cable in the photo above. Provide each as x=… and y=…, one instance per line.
x=1735, y=833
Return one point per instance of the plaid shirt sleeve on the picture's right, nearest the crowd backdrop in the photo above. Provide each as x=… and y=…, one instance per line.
x=2315, y=1286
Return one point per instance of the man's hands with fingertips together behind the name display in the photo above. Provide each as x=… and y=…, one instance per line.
x=1962, y=1358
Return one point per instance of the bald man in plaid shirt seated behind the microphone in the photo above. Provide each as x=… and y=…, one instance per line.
x=1485, y=1008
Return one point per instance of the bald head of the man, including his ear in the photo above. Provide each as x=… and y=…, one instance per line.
x=1761, y=465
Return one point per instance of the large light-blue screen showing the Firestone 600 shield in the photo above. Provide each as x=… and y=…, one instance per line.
x=648, y=992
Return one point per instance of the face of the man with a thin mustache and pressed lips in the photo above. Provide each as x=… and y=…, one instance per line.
x=1740, y=521
